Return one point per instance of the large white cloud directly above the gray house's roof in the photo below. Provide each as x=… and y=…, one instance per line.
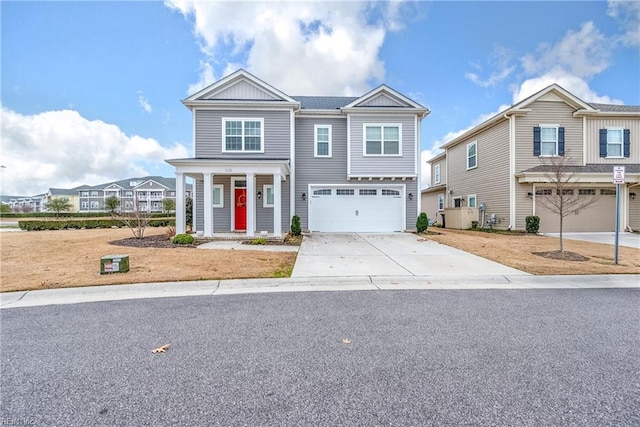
x=309, y=48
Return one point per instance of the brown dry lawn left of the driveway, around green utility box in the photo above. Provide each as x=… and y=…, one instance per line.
x=66, y=258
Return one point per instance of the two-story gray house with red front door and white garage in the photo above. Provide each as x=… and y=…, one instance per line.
x=262, y=156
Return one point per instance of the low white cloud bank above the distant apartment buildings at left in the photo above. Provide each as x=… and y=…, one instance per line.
x=62, y=149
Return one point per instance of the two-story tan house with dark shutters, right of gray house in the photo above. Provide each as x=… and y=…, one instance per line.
x=497, y=172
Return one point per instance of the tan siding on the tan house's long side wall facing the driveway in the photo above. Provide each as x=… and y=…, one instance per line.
x=490, y=180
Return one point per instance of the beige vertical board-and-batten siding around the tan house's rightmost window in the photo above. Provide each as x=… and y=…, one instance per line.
x=593, y=127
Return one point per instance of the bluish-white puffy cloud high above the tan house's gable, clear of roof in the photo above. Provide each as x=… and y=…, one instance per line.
x=582, y=53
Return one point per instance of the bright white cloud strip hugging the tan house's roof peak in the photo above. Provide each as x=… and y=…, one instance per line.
x=576, y=85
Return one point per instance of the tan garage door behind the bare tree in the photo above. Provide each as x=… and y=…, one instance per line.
x=600, y=216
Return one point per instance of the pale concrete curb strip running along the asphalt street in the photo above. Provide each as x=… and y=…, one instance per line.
x=362, y=283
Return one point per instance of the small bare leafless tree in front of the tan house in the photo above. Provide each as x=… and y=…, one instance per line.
x=563, y=199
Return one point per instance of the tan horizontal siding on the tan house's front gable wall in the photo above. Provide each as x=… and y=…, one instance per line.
x=543, y=112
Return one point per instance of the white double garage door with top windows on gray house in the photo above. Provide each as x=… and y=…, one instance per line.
x=356, y=209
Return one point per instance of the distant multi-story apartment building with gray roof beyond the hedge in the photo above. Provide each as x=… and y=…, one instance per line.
x=146, y=194
